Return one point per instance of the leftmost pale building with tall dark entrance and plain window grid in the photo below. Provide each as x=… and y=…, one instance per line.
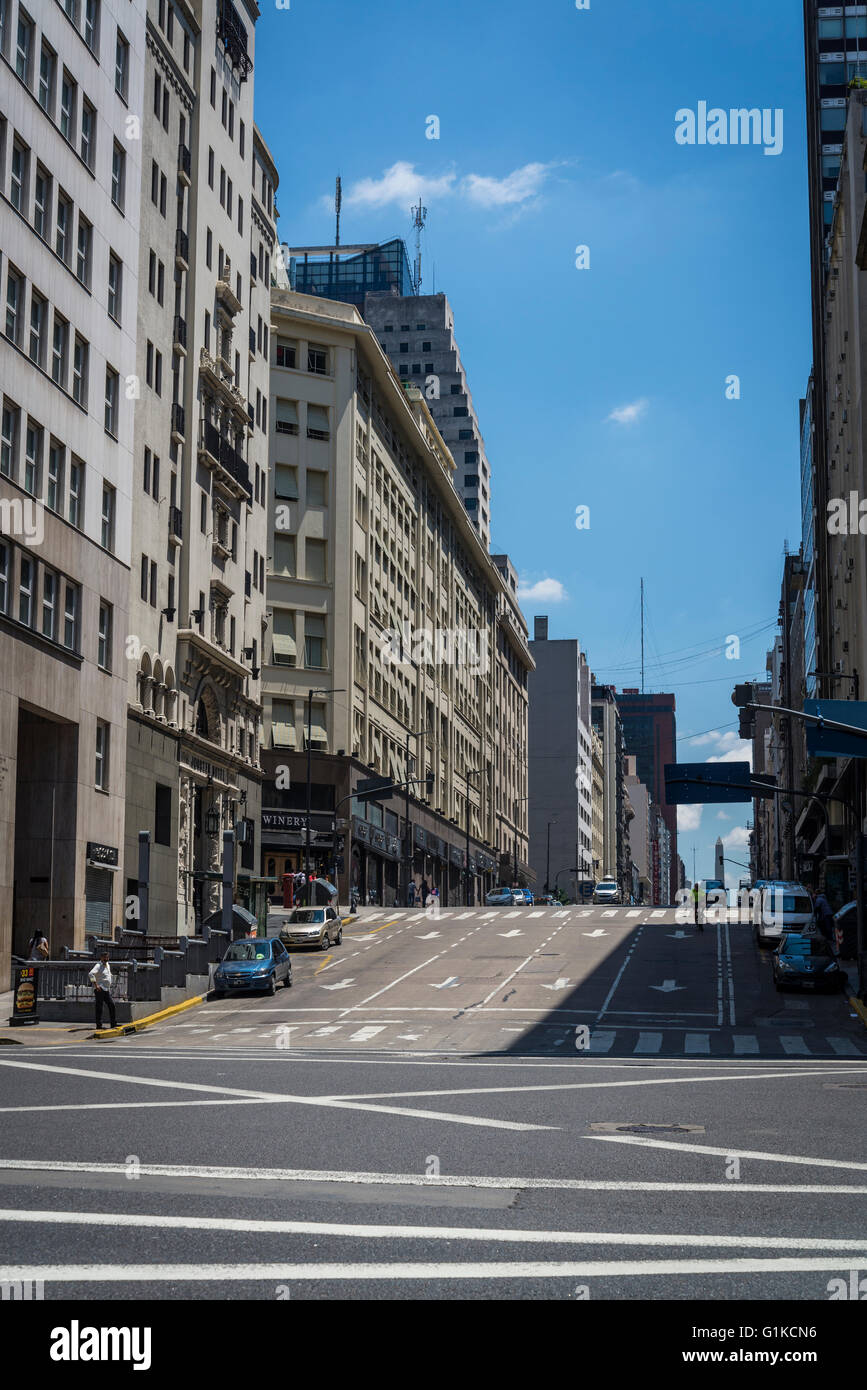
x=70, y=169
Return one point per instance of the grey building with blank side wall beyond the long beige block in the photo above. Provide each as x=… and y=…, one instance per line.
x=561, y=762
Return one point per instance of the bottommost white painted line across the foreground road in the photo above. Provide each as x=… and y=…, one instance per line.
x=426, y=1273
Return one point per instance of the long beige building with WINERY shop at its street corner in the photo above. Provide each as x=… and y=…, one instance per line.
x=391, y=630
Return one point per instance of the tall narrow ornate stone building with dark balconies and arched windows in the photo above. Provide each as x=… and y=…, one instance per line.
x=199, y=477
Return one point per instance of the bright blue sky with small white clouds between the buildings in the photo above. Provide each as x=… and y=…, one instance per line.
x=601, y=387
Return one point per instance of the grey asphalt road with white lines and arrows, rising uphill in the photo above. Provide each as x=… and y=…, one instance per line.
x=424, y=1115
